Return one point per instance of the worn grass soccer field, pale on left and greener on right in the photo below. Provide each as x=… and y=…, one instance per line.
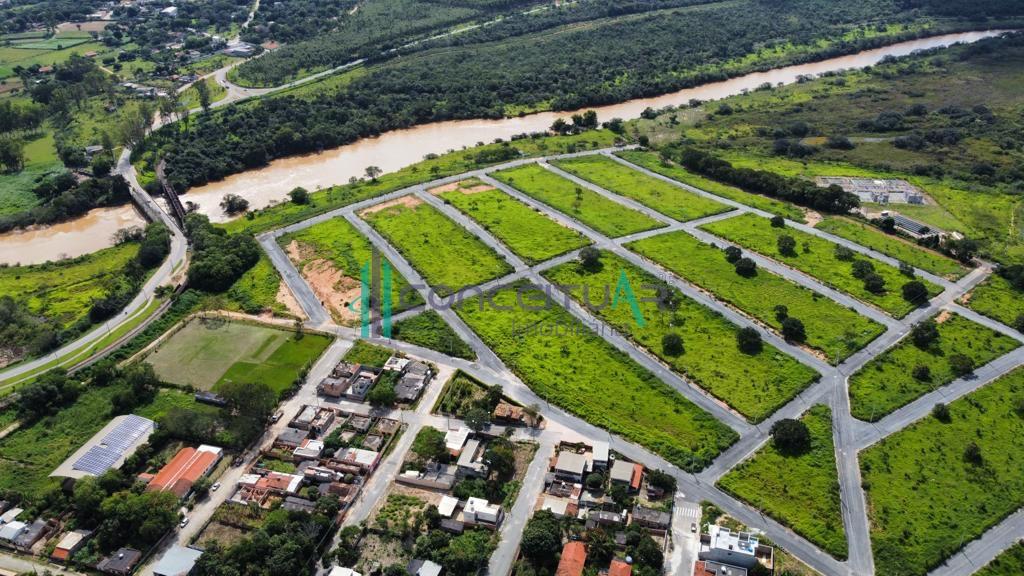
x=205, y=353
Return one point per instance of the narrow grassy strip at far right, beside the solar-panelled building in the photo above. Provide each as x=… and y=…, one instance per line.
x=891, y=245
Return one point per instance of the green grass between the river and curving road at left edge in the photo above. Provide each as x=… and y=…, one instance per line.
x=65, y=291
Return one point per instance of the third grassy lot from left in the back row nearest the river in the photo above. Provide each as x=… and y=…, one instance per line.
x=606, y=217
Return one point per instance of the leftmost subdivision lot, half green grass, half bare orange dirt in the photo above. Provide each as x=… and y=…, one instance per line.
x=331, y=257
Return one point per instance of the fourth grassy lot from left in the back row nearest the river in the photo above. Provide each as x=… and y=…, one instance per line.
x=667, y=199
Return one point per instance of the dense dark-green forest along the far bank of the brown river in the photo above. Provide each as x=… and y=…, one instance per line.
x=612, y=61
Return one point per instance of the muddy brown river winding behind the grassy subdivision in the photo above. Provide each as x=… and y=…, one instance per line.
x=398, y=149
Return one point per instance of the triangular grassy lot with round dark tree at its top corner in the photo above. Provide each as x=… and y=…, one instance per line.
x=800, y=491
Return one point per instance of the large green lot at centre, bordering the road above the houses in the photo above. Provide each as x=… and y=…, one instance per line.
x=574, y=368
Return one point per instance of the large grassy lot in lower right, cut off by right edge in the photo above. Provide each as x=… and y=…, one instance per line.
x=927, y=498
